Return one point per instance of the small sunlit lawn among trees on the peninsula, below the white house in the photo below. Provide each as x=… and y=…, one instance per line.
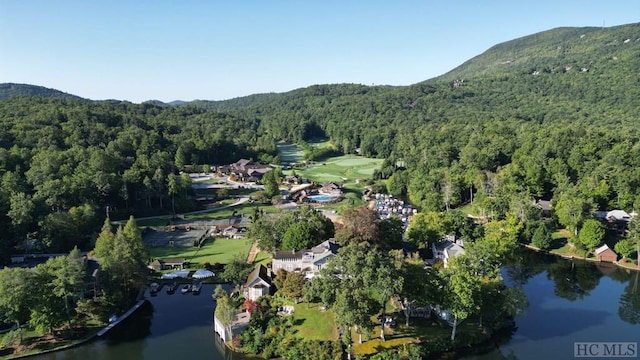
x=314, y=324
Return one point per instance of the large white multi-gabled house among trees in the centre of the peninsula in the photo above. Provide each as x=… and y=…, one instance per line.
x=307, y=261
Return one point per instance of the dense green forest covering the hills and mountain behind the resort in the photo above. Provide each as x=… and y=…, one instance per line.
x=557, y=124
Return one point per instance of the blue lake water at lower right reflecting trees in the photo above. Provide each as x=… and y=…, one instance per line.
x=568, y=302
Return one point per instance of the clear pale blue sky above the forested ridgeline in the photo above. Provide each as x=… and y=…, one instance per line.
x=168, y=50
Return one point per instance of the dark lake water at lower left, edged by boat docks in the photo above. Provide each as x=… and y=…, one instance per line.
x=177, y=326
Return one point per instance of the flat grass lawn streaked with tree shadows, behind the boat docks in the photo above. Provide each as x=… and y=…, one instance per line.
x=219, y=251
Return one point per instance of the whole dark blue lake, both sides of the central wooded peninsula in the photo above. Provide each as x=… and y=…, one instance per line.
x=568, y=302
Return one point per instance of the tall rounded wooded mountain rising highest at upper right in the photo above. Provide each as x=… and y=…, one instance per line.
x=571, y=48
